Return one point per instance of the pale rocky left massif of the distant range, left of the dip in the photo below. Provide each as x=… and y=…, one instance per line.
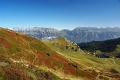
x=39, y=33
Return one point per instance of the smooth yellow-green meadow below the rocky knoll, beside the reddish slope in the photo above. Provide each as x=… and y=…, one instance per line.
x=86, y=60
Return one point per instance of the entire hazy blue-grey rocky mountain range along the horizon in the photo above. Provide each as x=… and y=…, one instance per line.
x=78, y=35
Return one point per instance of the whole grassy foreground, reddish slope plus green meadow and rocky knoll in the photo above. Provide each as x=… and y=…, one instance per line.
x=26, y=58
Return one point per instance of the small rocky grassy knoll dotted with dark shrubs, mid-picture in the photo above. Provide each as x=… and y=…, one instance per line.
x=65, y=45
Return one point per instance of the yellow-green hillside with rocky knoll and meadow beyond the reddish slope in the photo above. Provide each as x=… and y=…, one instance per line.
x=87, y=62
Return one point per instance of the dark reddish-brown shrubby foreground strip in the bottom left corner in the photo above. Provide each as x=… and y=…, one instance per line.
x=10, y=70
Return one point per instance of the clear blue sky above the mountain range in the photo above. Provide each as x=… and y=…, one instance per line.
x=59, y=14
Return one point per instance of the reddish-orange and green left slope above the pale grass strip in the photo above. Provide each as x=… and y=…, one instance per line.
x=20, y=48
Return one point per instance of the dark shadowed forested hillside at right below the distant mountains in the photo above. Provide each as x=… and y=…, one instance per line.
x=107, y=47
